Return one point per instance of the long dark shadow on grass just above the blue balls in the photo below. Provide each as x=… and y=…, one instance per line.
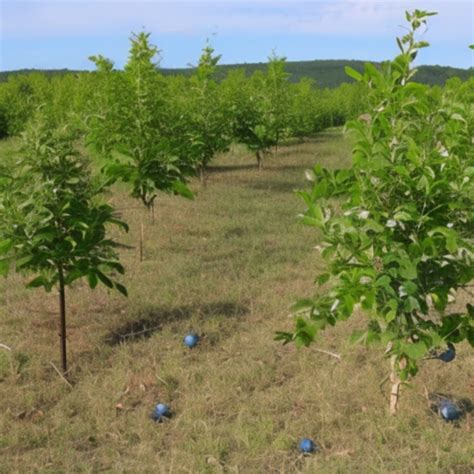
x=153, y=320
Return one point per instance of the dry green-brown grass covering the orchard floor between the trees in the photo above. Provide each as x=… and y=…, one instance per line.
x=228, y=265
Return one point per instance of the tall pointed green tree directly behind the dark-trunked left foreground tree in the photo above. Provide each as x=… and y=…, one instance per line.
x=140, y=153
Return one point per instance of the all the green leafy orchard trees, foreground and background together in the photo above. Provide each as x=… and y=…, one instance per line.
x=399, y=239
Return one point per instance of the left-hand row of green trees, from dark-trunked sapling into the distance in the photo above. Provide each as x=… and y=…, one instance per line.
x=146, y=130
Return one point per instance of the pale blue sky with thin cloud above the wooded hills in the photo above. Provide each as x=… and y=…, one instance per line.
x=62, y=34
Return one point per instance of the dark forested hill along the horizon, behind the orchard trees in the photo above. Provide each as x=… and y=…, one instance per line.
x=326, y=73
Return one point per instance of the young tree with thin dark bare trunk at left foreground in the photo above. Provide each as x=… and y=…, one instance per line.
x=53, y=220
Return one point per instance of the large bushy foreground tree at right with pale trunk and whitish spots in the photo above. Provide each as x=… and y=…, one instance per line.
x=400, y=242
